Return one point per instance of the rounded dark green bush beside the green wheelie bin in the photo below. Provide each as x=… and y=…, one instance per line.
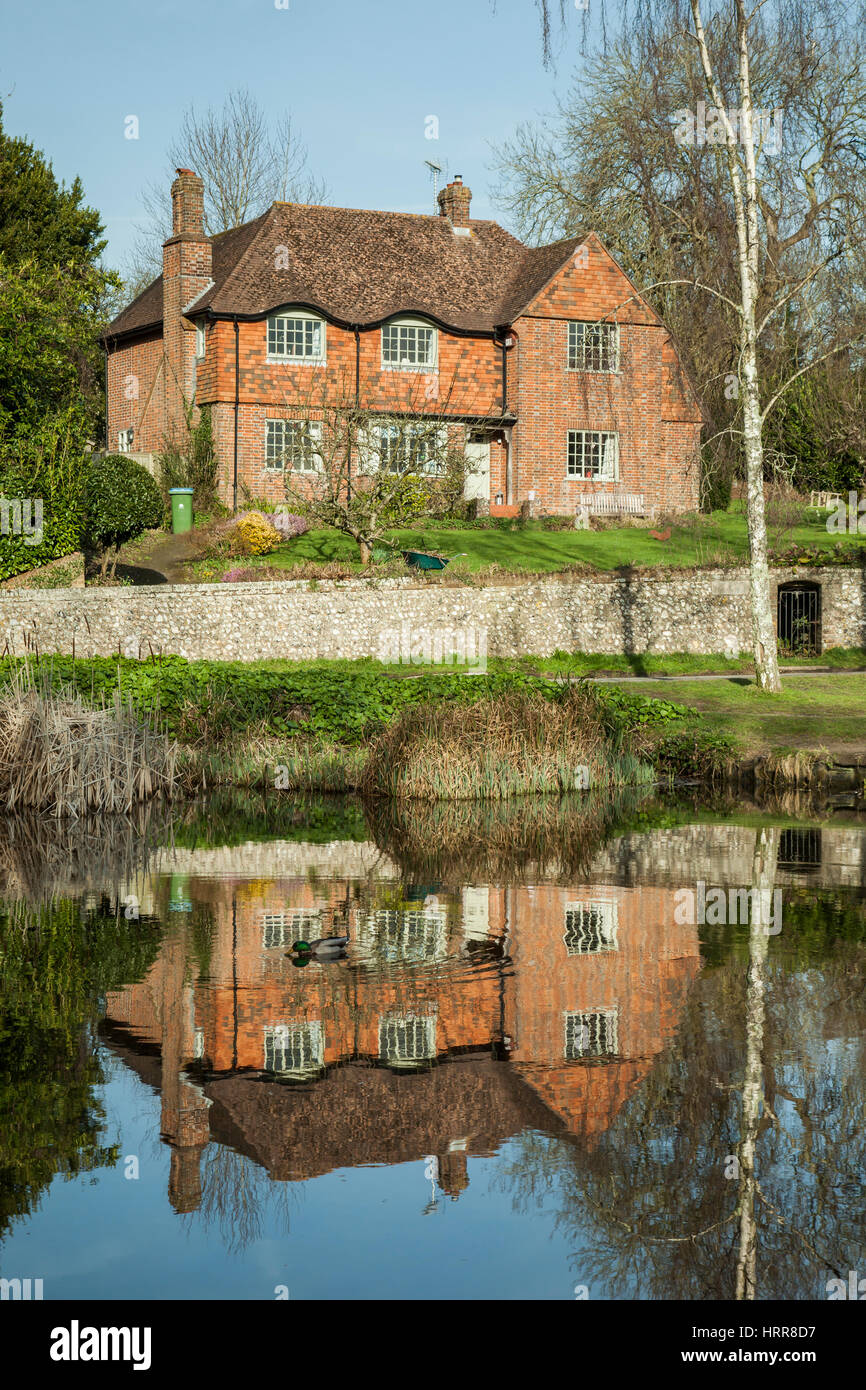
x=122, y=501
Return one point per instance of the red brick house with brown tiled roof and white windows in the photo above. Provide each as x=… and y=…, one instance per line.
x=547, y=361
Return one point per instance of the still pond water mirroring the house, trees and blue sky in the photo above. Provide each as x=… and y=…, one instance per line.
x=607, y=1052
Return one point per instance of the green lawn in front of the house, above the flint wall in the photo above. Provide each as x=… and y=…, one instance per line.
x=719, y=537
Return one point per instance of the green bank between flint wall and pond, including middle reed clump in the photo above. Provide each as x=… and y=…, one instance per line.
x=409, y=732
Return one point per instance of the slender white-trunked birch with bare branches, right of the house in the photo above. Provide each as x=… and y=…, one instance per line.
x=792, y=227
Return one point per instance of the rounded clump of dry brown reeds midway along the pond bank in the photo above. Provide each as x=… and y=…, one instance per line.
x=516, y=746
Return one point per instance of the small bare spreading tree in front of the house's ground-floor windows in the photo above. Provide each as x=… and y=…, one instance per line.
x=366, y=472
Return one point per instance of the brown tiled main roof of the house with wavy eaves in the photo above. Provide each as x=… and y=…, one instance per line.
x=361, y=268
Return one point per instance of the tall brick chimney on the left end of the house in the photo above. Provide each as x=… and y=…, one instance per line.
x=187, y=273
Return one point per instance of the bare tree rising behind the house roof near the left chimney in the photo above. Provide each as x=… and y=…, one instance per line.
x=248, y=162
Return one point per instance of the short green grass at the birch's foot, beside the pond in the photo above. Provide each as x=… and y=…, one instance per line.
x=814, y=712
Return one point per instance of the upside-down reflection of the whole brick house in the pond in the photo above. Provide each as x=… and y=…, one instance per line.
x=546, y=1004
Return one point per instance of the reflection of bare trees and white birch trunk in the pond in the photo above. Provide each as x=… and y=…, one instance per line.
x=767, y=1071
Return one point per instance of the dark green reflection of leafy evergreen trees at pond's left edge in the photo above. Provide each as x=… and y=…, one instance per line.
x=56, y=964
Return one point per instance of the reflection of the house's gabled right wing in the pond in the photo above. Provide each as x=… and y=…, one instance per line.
x=601, y=976
